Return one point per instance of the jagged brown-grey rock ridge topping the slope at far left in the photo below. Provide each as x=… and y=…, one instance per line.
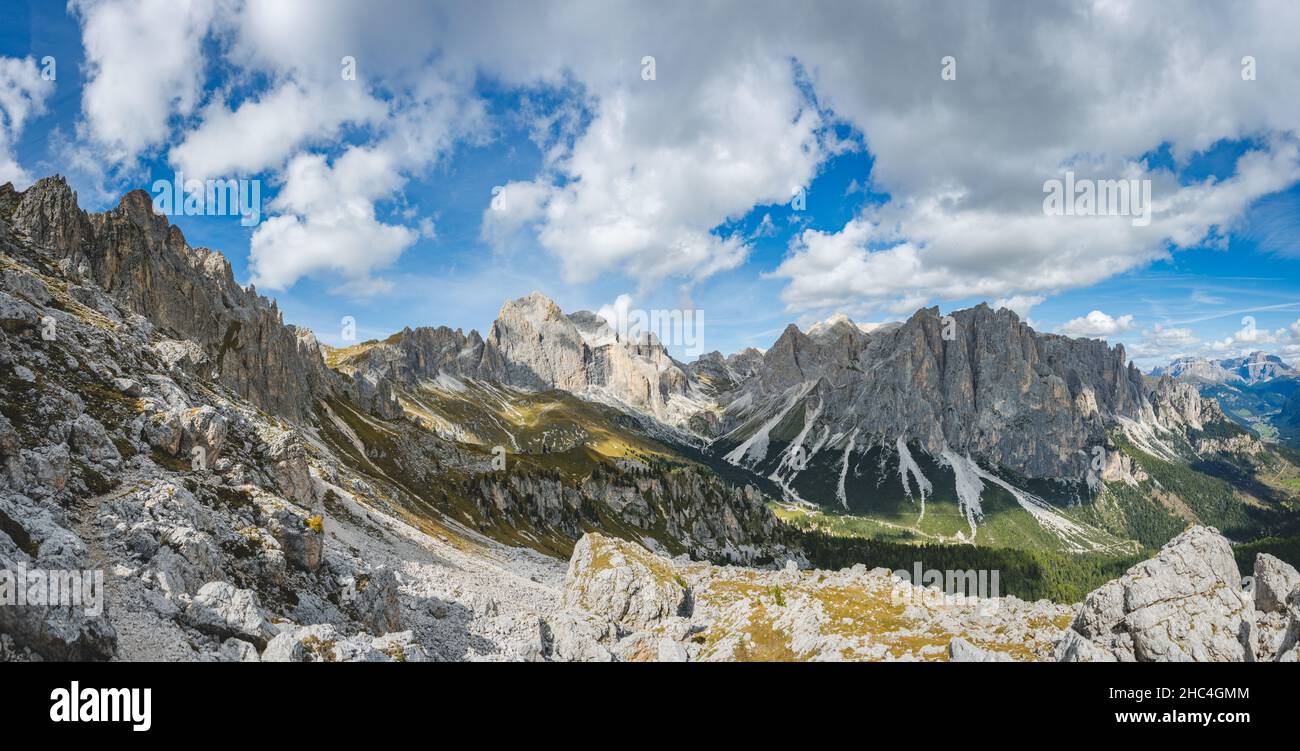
x=142, y=261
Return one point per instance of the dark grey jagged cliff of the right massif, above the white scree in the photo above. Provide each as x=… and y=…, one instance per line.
x=978, y=383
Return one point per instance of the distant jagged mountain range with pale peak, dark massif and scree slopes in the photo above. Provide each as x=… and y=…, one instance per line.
x=972, y=428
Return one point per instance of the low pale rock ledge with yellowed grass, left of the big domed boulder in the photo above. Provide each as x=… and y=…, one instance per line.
x=673, y=610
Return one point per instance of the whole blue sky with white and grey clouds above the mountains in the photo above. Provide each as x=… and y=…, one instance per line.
x=675, y=190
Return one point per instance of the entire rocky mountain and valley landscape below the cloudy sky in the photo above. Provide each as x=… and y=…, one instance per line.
x=557, y=490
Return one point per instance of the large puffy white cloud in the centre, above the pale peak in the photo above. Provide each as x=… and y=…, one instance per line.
x=638, y=196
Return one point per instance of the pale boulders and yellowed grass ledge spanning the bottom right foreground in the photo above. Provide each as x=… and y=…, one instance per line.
x=1186, y=605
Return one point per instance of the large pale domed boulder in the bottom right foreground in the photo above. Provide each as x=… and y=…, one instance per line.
x=1186, y=605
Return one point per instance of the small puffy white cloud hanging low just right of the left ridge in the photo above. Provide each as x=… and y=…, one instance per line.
x=328, y=224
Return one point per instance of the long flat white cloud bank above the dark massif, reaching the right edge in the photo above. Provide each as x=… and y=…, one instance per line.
x=934, y=249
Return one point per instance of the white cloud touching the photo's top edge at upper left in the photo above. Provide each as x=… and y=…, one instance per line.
x=145, y=64
